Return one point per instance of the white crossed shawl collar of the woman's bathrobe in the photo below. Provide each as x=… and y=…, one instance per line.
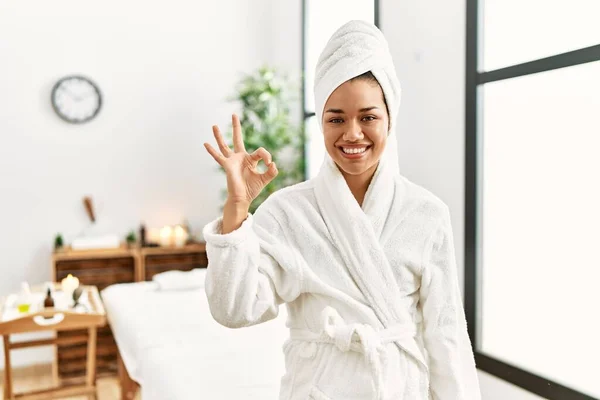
x=360, y=233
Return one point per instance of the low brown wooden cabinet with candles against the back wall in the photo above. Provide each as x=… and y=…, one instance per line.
x=102, y=268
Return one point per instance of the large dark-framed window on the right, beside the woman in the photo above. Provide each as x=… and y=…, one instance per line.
x=533, y=193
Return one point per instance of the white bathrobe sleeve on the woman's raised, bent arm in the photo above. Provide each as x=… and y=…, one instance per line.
x=251, y=270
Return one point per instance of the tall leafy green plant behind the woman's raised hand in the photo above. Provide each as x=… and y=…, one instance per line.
x=265, y=98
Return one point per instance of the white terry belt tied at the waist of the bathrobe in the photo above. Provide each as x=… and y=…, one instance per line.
x=360, y=338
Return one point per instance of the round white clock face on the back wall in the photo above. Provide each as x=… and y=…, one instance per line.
x=76, y=99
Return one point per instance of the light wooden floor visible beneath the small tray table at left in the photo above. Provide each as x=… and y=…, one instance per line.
x=40, y=377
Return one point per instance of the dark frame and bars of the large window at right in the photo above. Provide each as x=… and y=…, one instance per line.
x=474, y=104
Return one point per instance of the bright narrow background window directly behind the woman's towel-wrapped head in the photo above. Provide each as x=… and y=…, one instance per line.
x=320, y=20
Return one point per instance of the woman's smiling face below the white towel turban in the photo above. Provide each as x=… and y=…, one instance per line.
x=355, y=126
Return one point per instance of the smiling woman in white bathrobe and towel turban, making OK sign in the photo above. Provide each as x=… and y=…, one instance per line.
x=363, y=258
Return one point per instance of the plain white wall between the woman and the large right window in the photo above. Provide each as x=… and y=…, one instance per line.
x=428, y=45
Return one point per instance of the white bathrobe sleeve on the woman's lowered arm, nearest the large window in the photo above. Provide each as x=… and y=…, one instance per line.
x=451, y=362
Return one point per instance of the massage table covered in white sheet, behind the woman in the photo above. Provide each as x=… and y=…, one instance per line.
x=170, y=347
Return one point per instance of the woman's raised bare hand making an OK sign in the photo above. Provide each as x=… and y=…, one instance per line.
x=244, y=181
